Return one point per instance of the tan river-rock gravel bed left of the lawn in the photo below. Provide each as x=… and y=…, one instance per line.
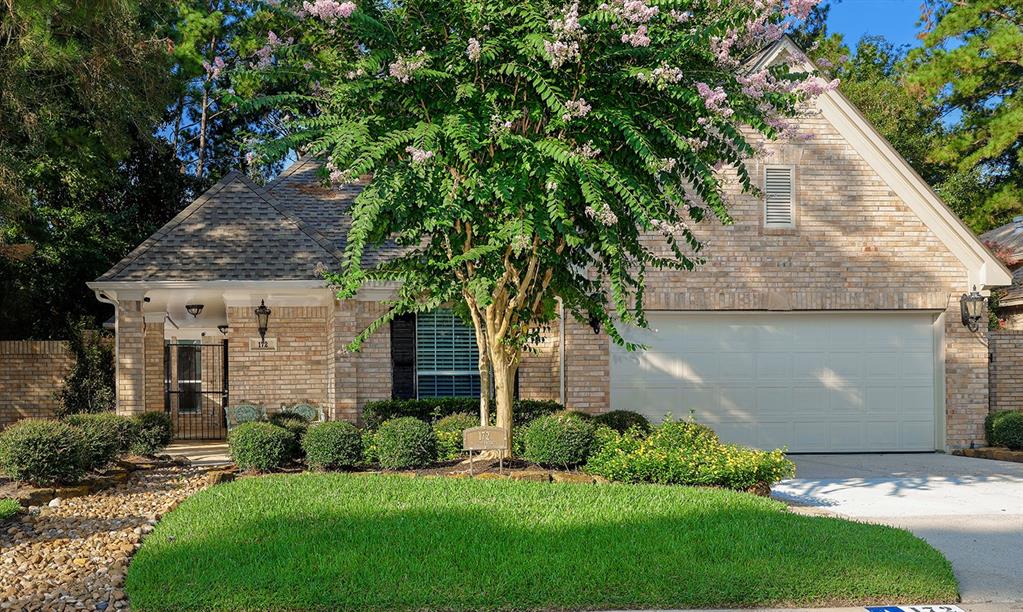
x=73, y=555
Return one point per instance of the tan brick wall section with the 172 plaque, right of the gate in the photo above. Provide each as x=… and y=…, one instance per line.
x=297, y=372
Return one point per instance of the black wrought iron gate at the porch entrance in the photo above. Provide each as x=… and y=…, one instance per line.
x=196, y=388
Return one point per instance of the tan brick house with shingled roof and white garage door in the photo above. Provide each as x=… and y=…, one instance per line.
x=826, y=320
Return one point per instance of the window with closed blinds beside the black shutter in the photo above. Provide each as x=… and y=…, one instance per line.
x=447, y=357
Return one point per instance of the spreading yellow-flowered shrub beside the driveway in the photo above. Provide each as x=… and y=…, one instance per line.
x=684, y=453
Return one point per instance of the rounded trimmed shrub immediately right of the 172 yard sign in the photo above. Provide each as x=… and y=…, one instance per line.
x=561, y=441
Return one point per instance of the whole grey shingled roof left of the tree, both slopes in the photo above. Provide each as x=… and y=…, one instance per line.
x=238, y=231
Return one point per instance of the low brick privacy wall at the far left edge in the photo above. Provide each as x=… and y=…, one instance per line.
x=33, y=371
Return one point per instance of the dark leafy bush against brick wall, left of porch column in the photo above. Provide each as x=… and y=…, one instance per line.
x=90, y=385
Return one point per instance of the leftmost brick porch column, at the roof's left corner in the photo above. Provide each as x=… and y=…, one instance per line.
x=130, y=358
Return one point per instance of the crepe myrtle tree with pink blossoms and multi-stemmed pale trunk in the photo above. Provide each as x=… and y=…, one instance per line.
x=523, y=152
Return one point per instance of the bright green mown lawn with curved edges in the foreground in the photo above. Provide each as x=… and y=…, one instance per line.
x=334, y=541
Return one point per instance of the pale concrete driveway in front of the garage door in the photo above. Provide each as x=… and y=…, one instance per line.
x=969, y=509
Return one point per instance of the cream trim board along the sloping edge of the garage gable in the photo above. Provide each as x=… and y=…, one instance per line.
x=985, y=270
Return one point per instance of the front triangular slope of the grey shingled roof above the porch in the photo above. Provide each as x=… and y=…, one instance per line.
x=232, y=233
